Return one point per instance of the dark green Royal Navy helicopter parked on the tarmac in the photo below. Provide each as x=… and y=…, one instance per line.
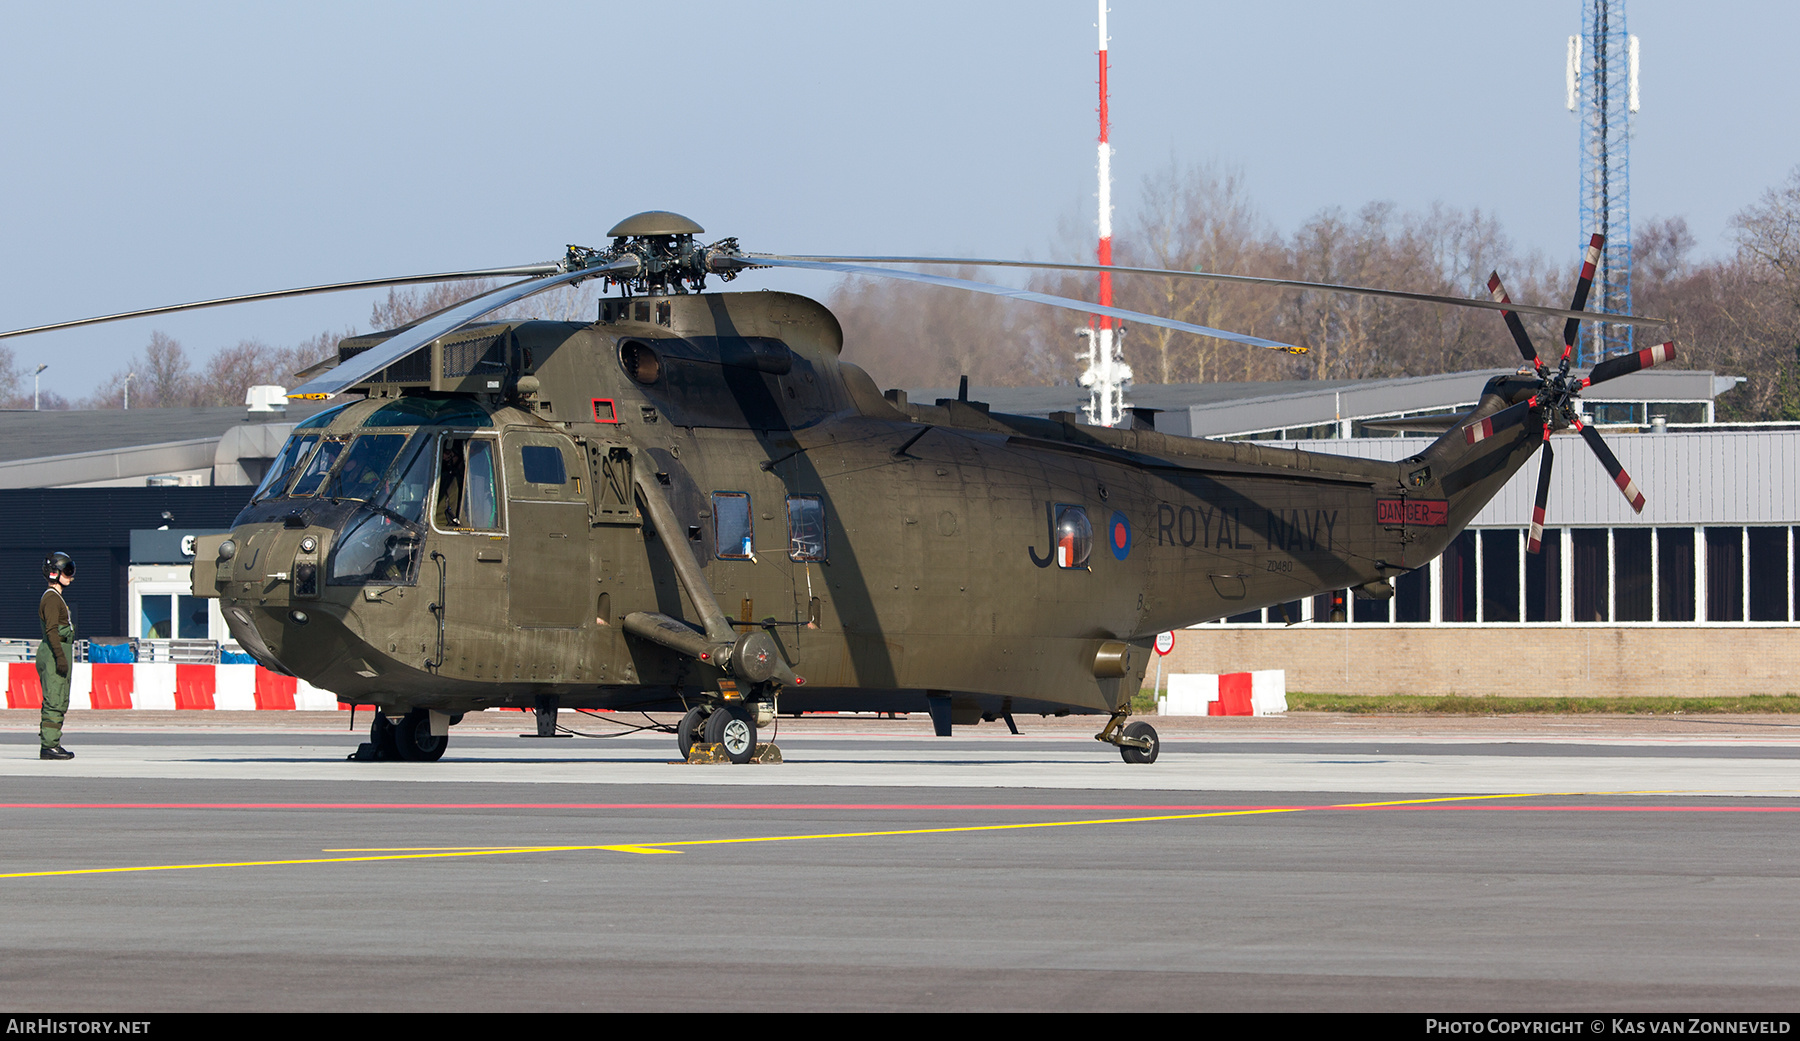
x=694, y=503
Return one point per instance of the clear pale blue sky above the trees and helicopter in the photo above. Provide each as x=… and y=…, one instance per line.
x=174, y=152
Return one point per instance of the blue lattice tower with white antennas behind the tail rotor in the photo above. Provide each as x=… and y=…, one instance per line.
x=1603, y=91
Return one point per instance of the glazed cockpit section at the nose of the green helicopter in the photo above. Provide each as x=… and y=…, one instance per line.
x=368, y=469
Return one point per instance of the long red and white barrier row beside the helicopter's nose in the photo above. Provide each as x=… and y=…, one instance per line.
x=170, y=687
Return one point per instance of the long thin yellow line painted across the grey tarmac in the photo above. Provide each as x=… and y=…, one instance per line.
x=433, y=853
